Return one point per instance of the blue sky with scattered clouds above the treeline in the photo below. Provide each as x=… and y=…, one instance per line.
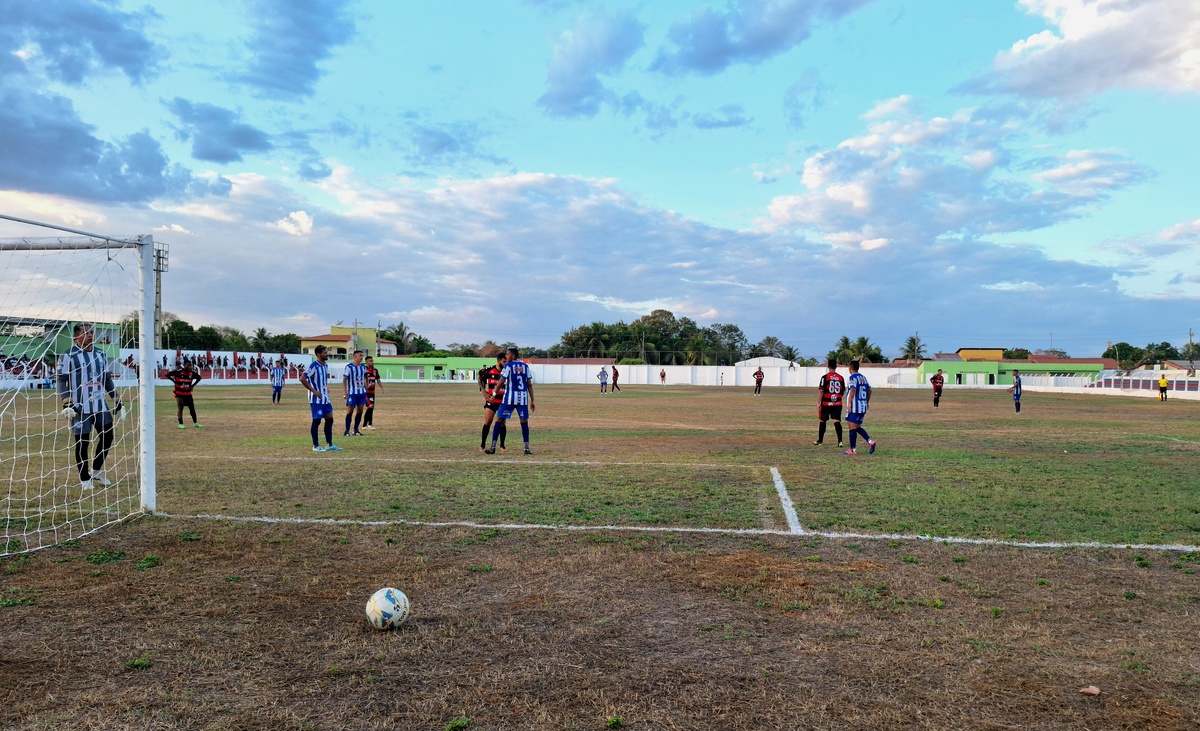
x=987, y=173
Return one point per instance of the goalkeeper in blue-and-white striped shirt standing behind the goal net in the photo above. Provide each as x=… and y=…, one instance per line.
x=85, y=382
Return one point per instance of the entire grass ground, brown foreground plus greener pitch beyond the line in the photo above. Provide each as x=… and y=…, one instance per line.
x=671, y=595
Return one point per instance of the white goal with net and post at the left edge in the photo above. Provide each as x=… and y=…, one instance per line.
x=73, y=313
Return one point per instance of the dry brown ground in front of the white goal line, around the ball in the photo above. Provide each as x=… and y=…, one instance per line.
x=261, y=627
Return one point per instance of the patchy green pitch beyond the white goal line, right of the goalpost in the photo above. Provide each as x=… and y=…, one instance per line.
x=698, y=458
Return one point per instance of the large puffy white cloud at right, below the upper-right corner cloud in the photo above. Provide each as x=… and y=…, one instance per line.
x=911, y=182
